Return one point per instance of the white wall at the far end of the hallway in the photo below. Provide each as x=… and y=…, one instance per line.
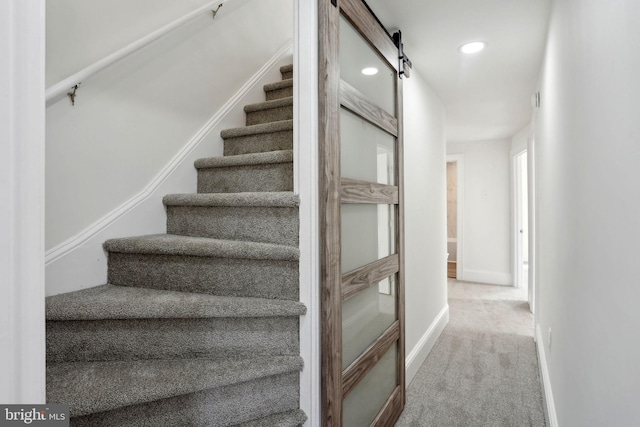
x=486, y=228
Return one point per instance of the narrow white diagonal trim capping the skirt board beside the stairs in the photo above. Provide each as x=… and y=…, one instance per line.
x=72, y=243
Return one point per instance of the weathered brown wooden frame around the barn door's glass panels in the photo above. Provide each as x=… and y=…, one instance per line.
x=333, y=93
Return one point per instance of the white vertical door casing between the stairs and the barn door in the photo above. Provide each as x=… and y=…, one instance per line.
x=305, y=148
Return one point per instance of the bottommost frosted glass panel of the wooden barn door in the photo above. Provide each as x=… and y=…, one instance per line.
x=361, y=406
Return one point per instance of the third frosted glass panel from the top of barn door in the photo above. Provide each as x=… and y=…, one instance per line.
x=367, y=234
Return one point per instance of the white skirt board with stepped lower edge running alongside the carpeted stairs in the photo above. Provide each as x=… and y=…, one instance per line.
x=80, y=262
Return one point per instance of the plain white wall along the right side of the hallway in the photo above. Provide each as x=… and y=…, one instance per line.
x=588, y=213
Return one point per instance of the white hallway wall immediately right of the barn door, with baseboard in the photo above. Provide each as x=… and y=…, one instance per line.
x=425, y=220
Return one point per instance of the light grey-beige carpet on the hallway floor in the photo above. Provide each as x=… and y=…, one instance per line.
x=483, y=369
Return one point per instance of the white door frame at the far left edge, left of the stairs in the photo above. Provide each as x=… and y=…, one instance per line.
x=22, y=184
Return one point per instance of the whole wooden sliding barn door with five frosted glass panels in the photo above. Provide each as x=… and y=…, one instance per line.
x=361, y=218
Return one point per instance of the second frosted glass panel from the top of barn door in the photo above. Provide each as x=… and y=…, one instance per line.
x=366, y=151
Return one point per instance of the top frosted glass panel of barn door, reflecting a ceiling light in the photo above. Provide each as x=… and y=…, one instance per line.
x=357, y=55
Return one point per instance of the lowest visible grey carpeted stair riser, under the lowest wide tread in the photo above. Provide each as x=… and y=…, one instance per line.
x=223, y=406
